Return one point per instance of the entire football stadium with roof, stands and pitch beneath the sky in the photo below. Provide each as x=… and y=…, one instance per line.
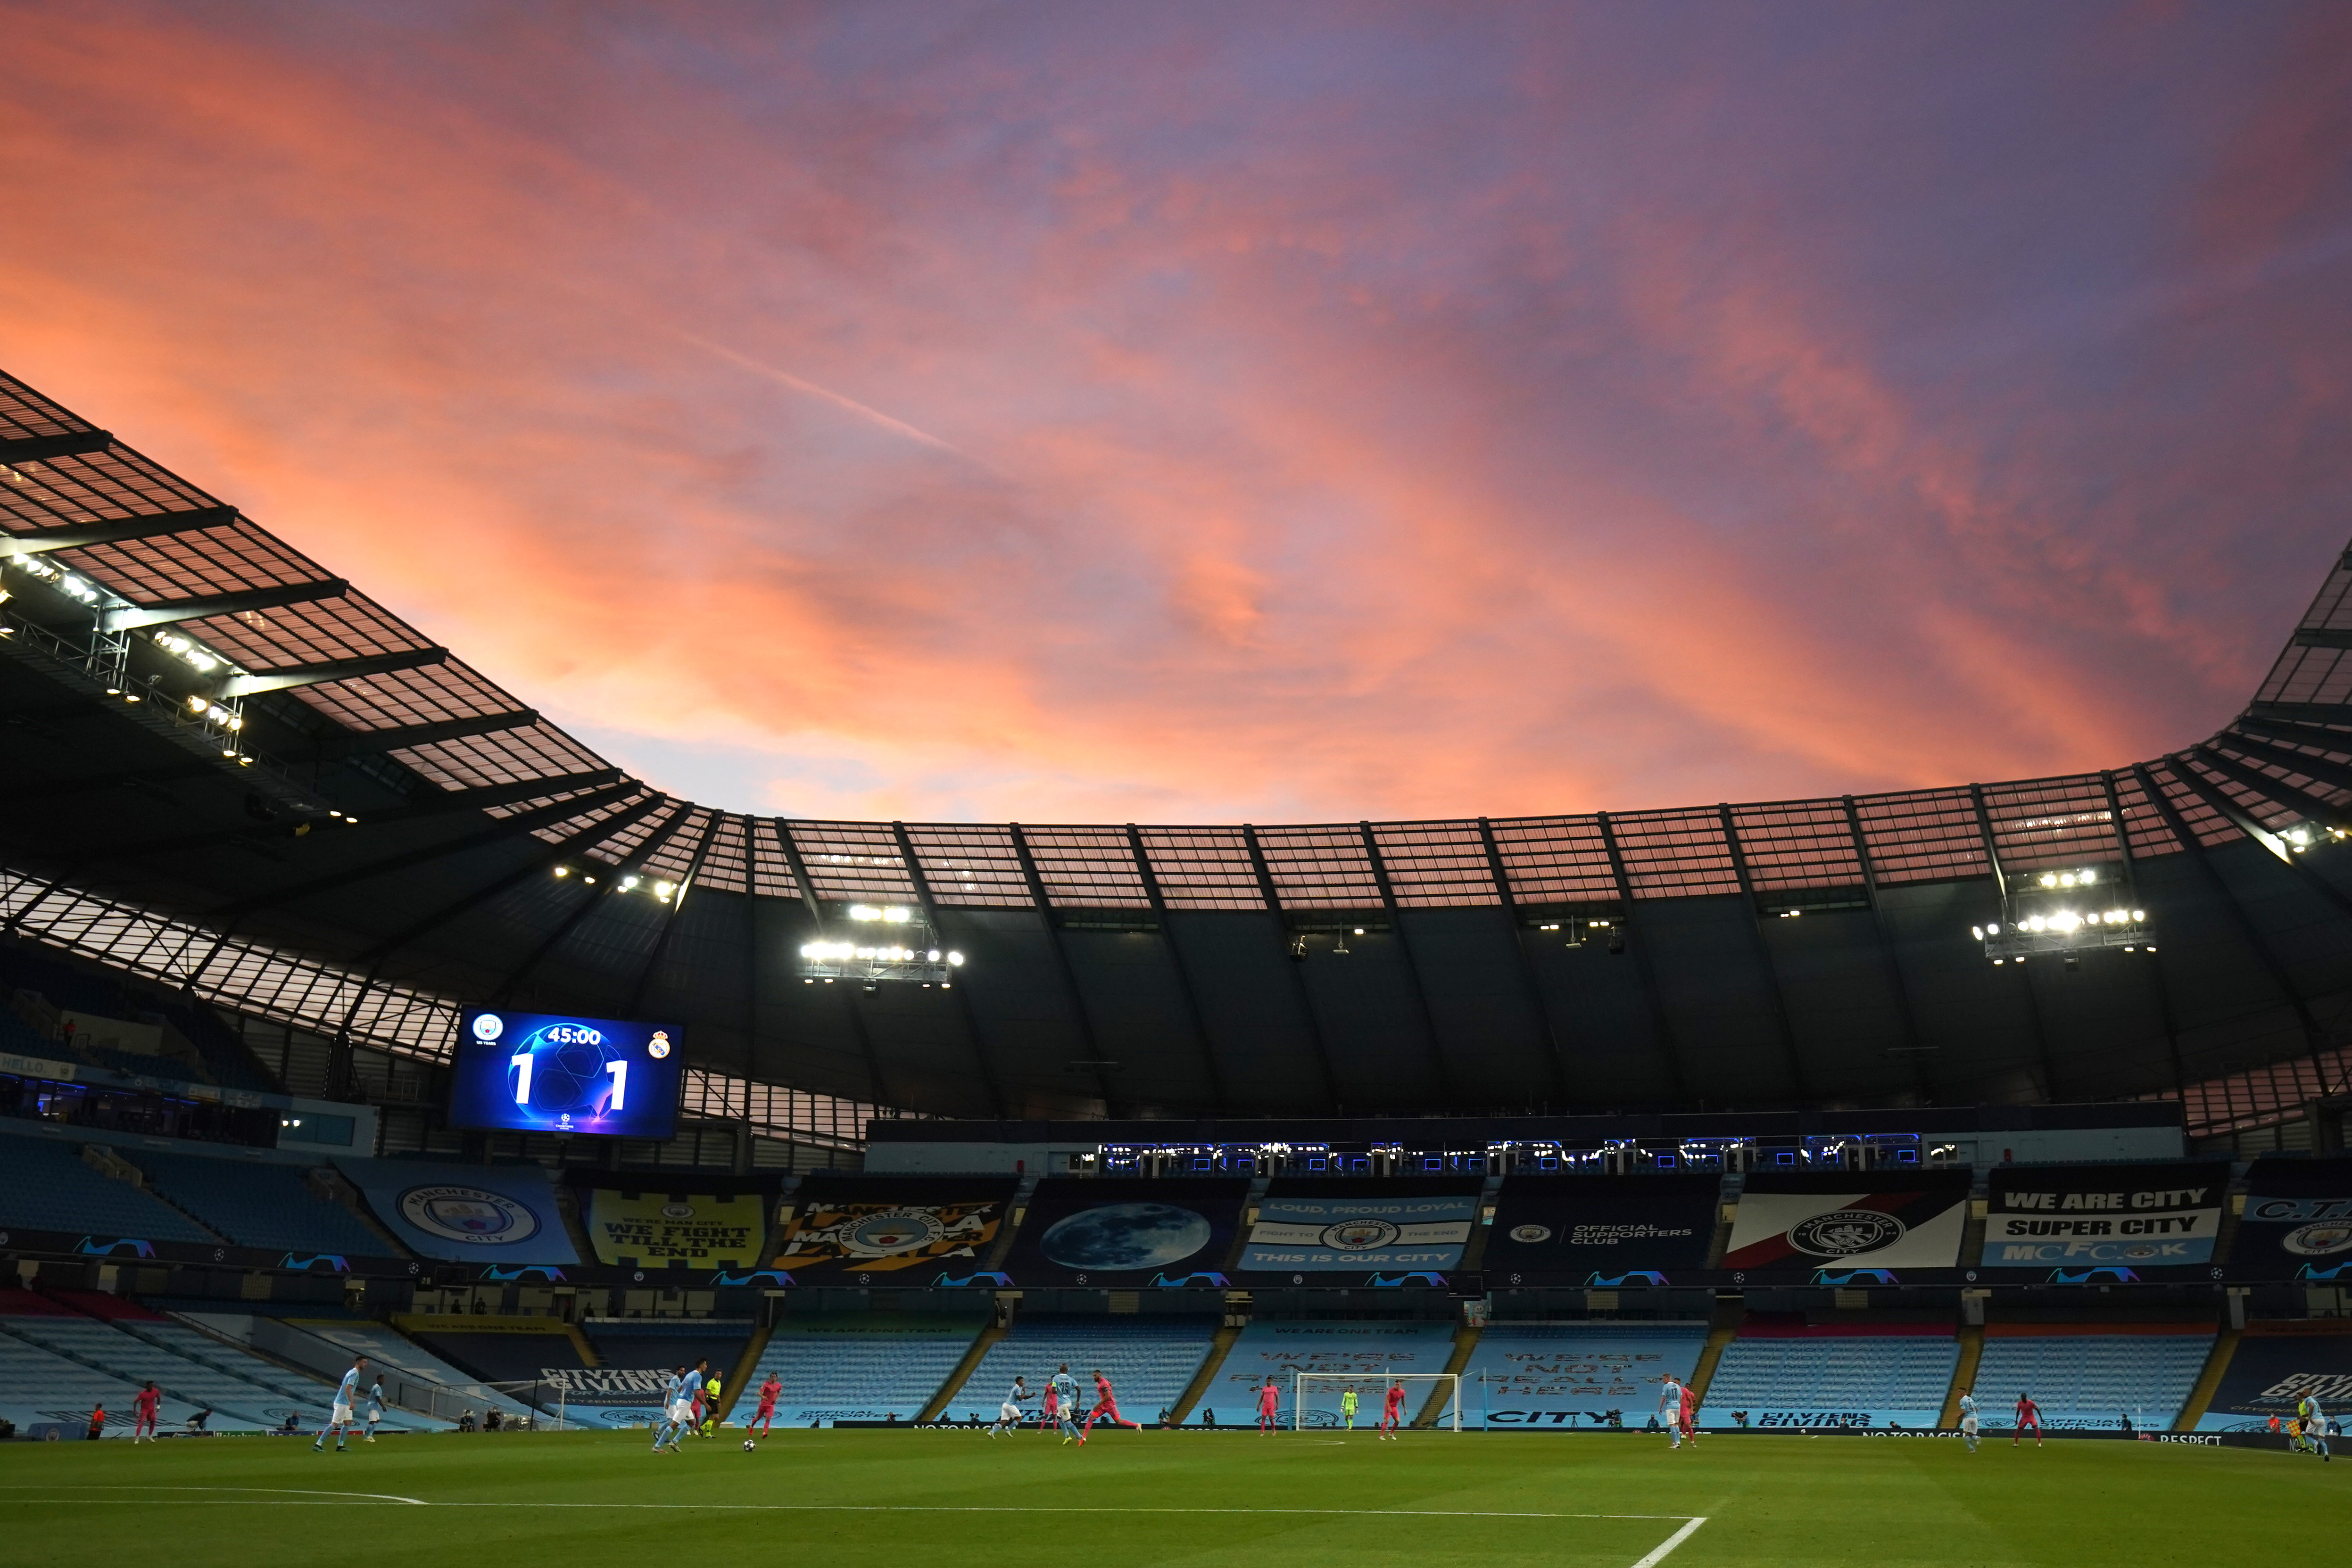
x=385, y=1071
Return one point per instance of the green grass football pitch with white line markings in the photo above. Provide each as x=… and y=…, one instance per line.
x=921, y=1499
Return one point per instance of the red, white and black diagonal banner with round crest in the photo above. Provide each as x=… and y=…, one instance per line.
x=1847, y=1226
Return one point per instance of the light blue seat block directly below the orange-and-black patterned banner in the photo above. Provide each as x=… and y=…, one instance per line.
x=864, y=1365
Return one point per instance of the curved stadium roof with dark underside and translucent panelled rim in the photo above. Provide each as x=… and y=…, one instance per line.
x=234, y=770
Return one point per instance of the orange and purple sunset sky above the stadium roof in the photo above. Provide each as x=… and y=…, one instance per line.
x=1241, y=413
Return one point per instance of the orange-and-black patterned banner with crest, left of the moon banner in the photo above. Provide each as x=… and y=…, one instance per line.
x=916, y=1231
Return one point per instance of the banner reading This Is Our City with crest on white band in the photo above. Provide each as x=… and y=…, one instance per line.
x=1394, y=1231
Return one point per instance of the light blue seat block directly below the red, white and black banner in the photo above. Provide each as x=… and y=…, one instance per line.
x=1791, y=1374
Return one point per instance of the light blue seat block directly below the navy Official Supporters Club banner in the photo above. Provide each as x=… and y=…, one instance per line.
x=1563, y=1376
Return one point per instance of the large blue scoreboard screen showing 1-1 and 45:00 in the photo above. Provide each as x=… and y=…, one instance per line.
x=542, y=1073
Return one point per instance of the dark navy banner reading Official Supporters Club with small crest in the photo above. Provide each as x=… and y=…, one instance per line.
x=1601, y=1231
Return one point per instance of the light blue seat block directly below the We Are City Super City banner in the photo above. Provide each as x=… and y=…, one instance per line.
x=2092, y=1374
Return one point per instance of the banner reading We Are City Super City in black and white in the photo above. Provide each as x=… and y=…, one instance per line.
x=2120, y=1221
